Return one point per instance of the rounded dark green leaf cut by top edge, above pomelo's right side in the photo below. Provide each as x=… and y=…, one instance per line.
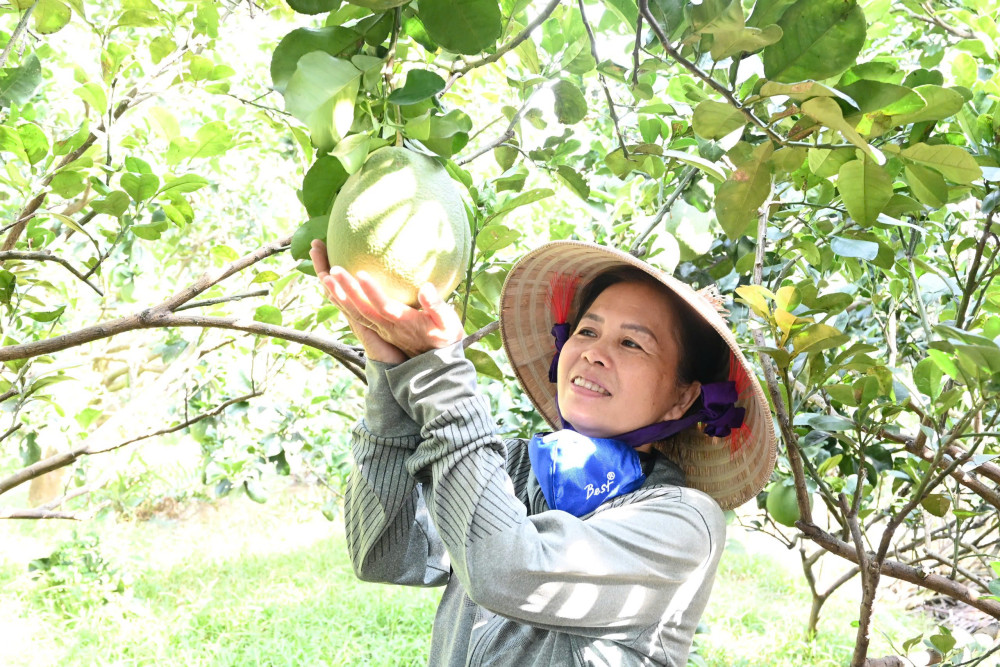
x=468, y=27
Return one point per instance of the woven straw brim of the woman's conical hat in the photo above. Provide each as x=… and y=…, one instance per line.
x=730, y=477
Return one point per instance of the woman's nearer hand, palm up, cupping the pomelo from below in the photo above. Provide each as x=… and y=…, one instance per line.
x=412, y=331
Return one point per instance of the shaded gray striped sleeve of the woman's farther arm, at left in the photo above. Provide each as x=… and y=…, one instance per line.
x=389, y=535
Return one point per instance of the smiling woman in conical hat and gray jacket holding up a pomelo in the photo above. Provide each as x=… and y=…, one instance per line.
x=596, y=544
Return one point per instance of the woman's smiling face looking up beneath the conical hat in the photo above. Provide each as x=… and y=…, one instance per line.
x=618, y=370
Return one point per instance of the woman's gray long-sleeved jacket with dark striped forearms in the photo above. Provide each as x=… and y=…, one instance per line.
x=437, y=498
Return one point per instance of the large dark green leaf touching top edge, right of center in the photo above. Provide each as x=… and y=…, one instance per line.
x=821, y=38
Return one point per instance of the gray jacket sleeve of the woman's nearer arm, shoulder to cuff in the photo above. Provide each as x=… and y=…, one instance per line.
x=619, y=571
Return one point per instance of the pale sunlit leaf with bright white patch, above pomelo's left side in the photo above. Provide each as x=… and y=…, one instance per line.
x=322, y=93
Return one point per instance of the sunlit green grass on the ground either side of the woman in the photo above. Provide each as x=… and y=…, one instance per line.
x=248, y=584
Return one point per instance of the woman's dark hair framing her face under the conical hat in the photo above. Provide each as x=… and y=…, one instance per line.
x=702, y=354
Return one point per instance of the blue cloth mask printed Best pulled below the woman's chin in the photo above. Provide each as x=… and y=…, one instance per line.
x=578, y=473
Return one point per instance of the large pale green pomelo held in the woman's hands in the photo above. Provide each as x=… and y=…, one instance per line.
x=401, y=218
